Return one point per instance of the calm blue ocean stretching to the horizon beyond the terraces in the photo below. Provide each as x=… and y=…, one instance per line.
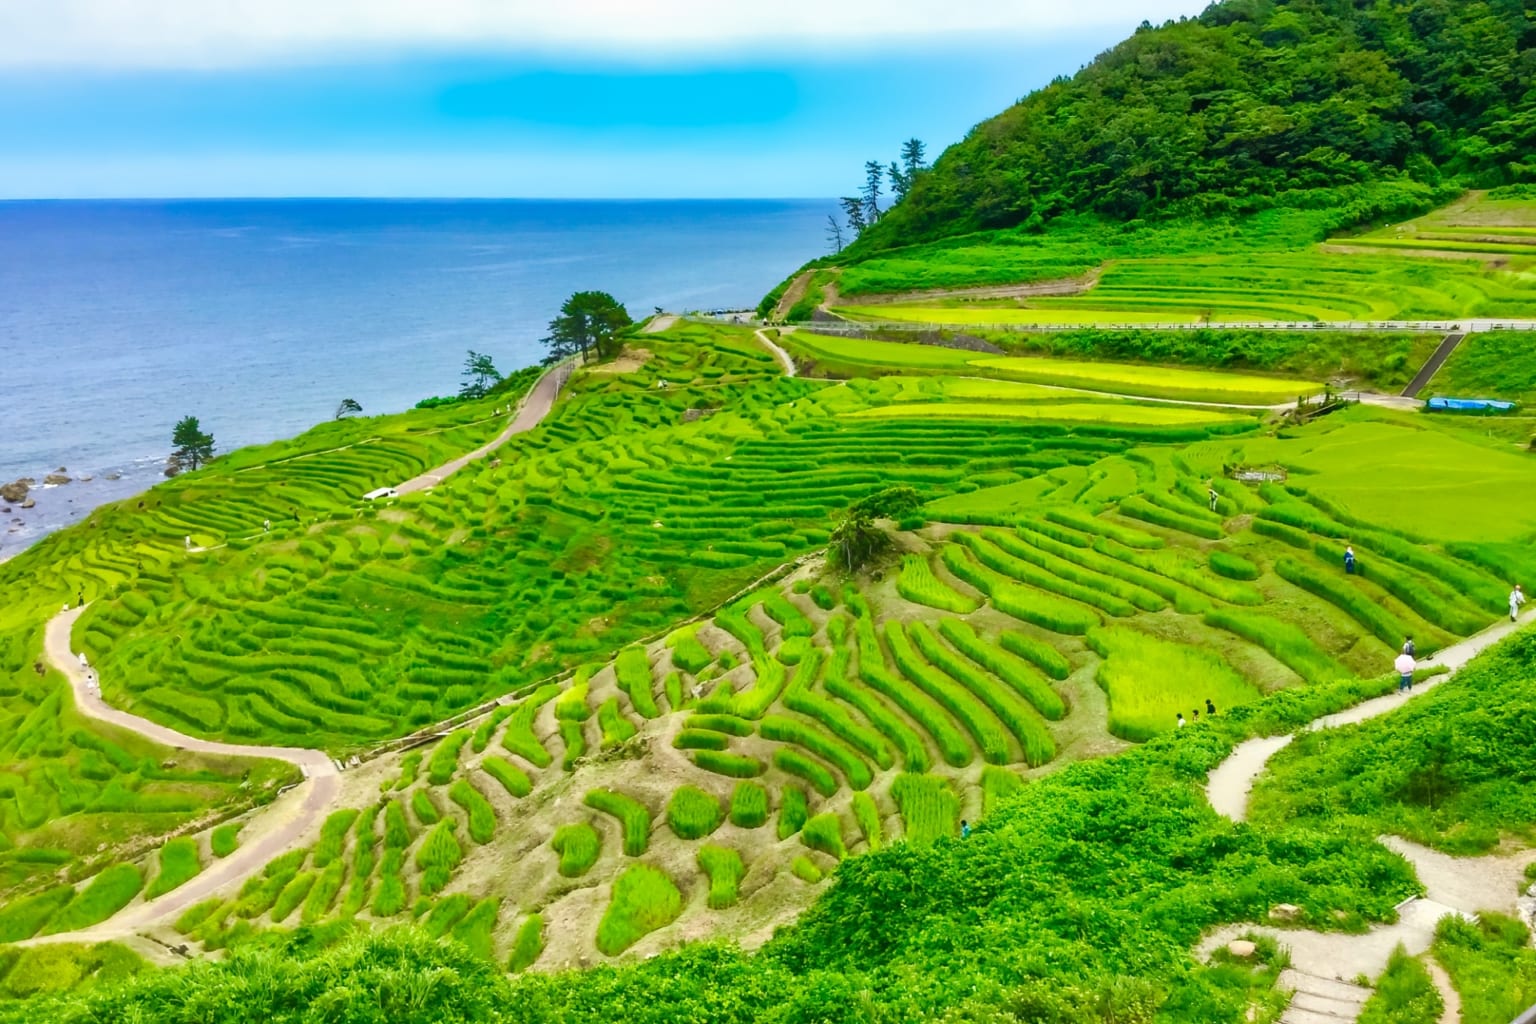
x=260, y=317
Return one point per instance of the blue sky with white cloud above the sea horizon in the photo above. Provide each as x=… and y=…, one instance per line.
x=560, y=99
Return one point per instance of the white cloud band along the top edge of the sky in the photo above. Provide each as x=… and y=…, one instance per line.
x=236, y=33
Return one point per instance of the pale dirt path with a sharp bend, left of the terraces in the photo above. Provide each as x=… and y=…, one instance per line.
x=274, y=831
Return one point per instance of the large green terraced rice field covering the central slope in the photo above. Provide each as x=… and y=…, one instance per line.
x=680, y=747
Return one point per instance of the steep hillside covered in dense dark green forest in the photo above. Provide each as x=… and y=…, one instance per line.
x=1251, y=105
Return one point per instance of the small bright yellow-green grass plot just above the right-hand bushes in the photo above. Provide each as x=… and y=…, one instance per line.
x=1151, y=681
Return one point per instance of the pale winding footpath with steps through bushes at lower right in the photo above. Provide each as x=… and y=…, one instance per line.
x=1325, y=965
